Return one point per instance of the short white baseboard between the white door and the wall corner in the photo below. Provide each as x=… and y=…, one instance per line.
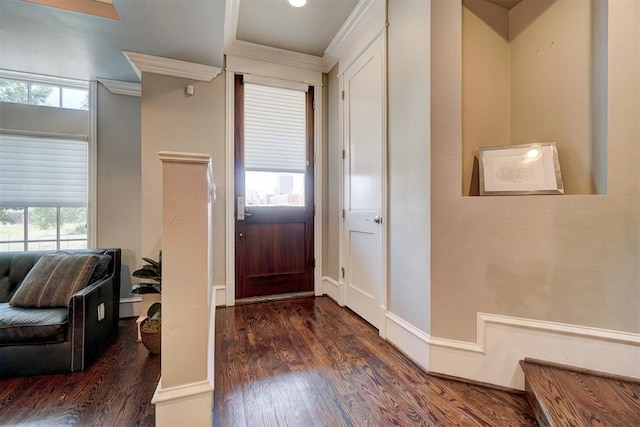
x=408, y=339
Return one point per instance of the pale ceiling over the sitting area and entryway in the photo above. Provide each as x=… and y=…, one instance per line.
x=46, y=40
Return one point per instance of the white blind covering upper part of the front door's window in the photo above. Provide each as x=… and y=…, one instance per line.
x=274, y=129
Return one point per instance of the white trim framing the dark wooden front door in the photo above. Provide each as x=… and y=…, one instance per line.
x=230, y=293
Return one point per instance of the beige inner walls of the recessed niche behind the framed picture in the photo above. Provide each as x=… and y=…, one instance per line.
x=515, y=91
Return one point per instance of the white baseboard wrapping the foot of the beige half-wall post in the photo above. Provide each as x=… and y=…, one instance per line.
x=188, y=405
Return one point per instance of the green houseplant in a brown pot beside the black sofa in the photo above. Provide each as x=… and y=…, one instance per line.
x=150, y=328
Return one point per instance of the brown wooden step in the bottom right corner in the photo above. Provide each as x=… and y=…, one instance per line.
x=562, y=395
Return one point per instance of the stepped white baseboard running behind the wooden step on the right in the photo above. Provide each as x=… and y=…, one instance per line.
x=503, y=341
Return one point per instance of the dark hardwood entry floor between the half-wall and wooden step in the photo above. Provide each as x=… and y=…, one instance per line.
x=308, y=362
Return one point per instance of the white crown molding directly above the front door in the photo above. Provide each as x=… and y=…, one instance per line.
x=277, y=56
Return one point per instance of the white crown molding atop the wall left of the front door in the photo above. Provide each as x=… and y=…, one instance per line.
x=171, y=67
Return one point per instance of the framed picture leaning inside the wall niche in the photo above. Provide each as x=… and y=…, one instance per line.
x=520, y=169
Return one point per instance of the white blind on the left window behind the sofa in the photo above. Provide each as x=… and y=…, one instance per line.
x=42, y=172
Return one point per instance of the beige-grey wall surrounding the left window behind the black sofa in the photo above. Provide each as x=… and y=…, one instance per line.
x=118, y=171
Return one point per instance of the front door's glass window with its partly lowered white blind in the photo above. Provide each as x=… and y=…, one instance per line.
x=275, y=157
